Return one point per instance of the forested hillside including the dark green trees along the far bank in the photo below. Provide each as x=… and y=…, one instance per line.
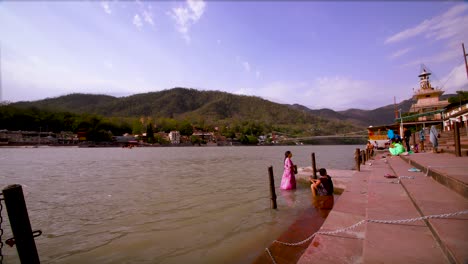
x=185, y=110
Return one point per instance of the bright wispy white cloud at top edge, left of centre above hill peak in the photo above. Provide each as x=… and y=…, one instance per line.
x=187, y=16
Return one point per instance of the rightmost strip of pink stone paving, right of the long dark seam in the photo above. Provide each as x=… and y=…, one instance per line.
x=432, y=198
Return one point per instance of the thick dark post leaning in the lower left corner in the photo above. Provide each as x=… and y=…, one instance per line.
x=20, y=225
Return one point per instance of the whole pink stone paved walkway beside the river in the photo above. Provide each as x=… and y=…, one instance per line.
x=416, y=195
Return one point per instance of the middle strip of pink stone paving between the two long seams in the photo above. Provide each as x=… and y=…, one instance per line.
x=395, y=243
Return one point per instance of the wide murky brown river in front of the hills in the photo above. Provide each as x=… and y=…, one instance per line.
x=157, y=205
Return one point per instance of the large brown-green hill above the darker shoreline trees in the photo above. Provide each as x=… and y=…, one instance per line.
x=200, y=108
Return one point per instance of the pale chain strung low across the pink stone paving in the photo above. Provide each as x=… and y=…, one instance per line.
x=401, y=221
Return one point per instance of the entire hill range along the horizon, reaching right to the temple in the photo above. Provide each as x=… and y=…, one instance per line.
x=184, y=103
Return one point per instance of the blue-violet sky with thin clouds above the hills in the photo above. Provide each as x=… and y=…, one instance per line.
x=336, y=55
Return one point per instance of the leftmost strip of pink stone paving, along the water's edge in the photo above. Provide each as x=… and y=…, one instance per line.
x=344, y=247
